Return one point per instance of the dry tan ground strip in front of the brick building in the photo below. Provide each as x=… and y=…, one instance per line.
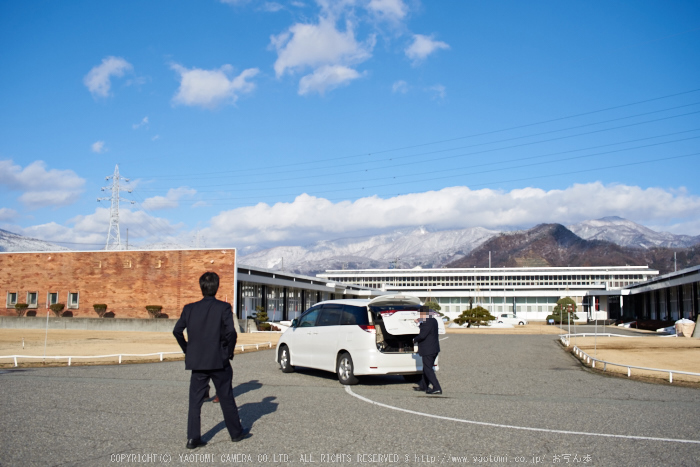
x=75, y=343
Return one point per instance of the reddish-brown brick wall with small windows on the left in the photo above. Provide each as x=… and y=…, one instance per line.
x=126, y=281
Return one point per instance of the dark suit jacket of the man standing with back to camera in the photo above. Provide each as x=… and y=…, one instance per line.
x=211, y=336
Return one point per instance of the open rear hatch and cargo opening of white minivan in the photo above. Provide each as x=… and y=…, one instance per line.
x=394, y=320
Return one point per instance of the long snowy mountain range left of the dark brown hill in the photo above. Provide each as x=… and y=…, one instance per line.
x=419, y=247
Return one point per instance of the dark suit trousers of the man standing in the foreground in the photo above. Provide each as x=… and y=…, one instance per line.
x=199, y=386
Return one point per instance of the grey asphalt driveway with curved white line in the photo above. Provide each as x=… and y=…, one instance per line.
x=136, y=414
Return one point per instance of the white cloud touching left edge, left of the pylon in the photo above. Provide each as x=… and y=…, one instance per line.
x=41, y=187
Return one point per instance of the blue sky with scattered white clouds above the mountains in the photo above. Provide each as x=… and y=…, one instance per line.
x=260, y=123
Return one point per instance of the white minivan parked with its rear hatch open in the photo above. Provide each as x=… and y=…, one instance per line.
x=356, y=337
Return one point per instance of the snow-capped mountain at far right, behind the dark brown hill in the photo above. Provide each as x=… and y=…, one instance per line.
x=627, y=233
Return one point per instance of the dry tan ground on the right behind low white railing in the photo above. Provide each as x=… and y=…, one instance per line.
x=671, y=353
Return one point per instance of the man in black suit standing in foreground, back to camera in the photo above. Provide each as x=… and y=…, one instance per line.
x=211, y=341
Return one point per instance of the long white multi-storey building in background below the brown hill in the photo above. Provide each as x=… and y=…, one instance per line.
x=530, y=292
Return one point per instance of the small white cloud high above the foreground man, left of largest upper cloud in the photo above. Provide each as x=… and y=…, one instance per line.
x=209, y=88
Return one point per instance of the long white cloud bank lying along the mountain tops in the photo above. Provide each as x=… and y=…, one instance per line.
x=309, y=218
